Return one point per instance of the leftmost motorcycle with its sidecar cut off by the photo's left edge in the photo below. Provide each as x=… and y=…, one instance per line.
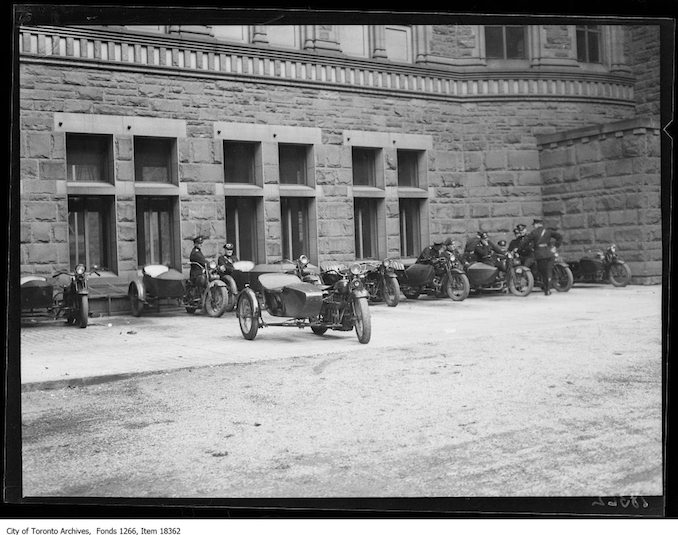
x=71, y=302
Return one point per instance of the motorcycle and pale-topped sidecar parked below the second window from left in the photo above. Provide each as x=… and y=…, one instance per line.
x=156, y=283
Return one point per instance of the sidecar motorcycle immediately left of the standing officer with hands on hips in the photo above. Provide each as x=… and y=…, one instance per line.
x=506, y=275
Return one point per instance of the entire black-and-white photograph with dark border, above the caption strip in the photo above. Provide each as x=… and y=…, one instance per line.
x=268, y=254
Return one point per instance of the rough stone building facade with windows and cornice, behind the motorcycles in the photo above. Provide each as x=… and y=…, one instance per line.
x=339, y=142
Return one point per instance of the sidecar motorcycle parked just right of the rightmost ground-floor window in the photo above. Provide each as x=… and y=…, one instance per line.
x=440, y=277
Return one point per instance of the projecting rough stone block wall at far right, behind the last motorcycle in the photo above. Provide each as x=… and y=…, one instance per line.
x=602, y=185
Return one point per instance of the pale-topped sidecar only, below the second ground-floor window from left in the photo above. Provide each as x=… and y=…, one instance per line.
x=154, y=284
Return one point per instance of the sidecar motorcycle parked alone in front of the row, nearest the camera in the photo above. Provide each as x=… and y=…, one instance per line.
x=340, y=306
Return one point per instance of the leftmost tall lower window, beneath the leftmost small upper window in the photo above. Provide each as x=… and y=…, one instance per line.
x=90, y=238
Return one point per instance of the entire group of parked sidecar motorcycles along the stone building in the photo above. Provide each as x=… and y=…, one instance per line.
x=333, y=296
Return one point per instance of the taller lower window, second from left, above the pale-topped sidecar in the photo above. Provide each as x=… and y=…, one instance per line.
x=155, y=230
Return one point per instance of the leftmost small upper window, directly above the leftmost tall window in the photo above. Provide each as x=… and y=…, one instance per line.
x=88, y=157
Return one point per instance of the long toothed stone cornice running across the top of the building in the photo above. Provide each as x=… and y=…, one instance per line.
x=205, y=57
